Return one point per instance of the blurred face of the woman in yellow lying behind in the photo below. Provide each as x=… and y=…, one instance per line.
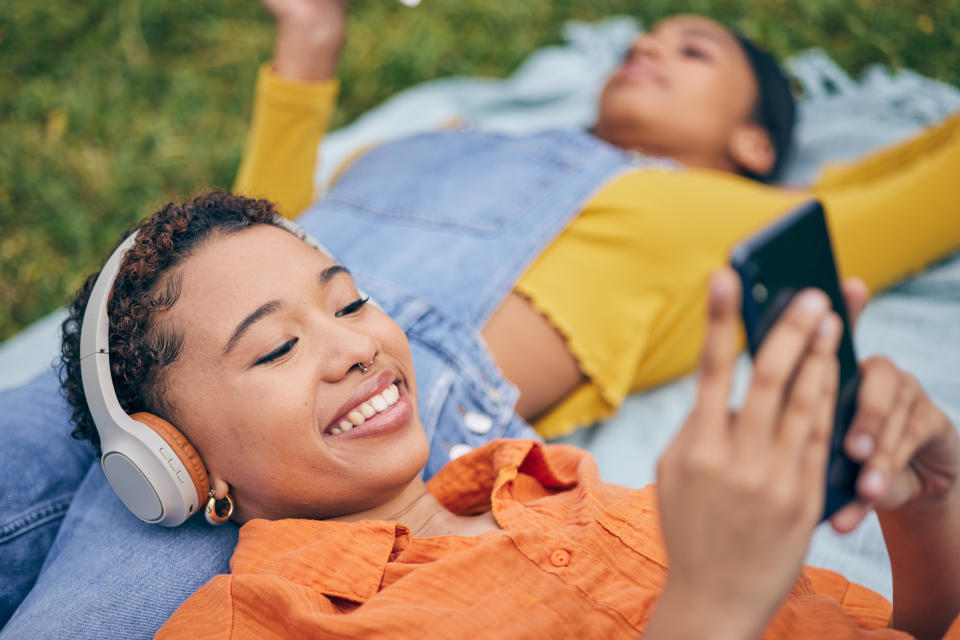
x=684, y=91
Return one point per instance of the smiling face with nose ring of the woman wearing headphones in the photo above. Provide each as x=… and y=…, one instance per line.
x=267, y=386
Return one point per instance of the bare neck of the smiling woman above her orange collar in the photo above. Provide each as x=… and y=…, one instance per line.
x=418, y=510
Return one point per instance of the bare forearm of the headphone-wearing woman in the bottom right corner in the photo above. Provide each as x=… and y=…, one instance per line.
x=923, y=539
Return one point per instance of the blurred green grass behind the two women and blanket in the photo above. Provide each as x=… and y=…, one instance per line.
x=108, y=109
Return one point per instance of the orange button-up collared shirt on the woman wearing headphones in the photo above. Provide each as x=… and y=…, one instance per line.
x=576, y=558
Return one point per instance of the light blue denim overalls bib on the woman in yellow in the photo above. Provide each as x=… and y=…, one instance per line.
x=456, y=217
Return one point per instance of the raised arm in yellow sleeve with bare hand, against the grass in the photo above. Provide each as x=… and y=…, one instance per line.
x=295, y=99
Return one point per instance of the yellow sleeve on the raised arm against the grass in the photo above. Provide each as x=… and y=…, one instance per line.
x=290, y=119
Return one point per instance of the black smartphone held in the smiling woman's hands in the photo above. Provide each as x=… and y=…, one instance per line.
x=791, y=254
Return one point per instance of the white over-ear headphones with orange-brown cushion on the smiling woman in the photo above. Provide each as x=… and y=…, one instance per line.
x=154, y=469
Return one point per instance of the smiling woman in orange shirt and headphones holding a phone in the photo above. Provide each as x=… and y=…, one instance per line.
x=295, y=404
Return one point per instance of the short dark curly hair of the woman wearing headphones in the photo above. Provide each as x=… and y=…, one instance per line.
x=146, y=284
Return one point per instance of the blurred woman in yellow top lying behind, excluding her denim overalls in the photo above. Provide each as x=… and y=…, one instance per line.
x=689, y=91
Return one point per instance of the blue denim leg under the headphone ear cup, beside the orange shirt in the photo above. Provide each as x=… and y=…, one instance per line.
x=110, y=575
